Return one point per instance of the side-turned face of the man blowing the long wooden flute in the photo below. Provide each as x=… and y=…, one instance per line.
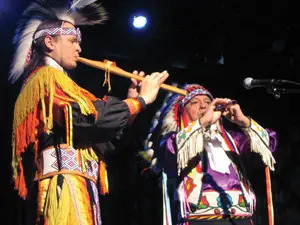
x=66, y=49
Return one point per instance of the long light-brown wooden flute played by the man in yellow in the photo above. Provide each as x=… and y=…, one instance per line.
x=118, y=71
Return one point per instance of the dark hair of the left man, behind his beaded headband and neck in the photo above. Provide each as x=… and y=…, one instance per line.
x=39, y=48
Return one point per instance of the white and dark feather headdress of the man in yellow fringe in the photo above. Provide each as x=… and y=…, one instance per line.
x=77, y=12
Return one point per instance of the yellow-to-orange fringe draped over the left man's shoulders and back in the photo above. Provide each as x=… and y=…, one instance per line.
x=41, y=89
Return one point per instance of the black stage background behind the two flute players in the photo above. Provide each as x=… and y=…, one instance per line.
x=215, y=43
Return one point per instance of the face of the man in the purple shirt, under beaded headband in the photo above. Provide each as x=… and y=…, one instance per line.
x=196, y=107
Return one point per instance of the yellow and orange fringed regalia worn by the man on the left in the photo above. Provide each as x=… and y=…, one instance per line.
x=46, y=90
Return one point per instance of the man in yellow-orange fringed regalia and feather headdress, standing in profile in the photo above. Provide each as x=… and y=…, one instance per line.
x=57, y=124
